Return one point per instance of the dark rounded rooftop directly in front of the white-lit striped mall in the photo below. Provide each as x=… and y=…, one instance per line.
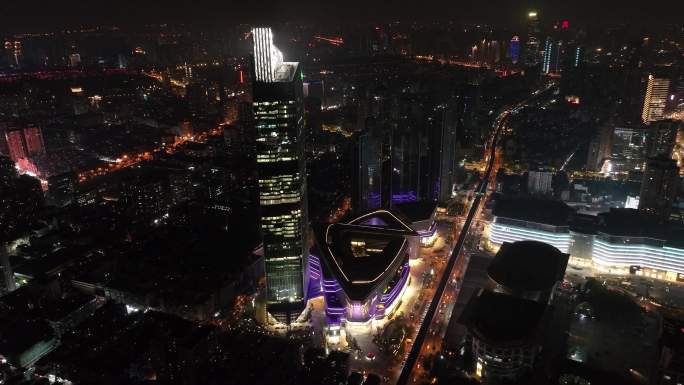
x=528, y=266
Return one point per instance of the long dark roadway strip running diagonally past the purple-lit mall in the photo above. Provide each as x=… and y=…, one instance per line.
x=480, y=192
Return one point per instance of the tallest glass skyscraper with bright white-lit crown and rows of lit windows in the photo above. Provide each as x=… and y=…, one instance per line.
x=281, y=168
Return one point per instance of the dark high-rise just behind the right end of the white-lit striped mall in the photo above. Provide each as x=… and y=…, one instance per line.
x=659, y=186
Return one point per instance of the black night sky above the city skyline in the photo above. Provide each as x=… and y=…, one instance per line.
x=28, y=15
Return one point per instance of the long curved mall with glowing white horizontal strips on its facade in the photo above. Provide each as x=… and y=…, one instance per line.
x=619, y=242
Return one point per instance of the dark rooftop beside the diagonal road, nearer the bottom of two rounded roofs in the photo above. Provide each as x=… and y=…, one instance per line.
x=502, y=319
